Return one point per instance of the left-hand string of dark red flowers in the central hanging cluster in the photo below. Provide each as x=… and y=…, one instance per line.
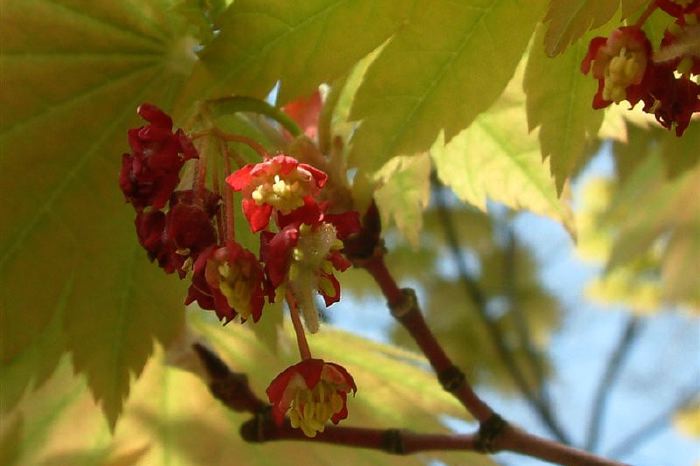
x=186, y=238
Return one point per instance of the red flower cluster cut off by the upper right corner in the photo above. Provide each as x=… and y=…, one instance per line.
x=626, y=68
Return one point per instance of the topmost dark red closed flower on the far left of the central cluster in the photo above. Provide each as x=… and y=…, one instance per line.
x=151, y=172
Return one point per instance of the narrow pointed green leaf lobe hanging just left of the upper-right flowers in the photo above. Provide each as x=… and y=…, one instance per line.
x=559, y=101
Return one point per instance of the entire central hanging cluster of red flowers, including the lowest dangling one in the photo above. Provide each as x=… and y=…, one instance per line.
x=190, y=232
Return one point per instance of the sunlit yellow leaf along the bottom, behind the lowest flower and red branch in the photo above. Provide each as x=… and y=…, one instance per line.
x=173, y=419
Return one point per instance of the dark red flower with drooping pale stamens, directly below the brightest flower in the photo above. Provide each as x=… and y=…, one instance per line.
x=304, y=255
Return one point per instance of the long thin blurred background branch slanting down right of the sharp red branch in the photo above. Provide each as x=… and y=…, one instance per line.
x=475, y=293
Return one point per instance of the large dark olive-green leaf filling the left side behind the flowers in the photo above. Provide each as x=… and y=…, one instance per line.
x=67, y=241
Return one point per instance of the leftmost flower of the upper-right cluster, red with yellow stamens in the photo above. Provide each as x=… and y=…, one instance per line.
x=619, y=63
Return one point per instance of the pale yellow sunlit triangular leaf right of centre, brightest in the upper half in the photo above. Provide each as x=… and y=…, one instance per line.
x=496, y=158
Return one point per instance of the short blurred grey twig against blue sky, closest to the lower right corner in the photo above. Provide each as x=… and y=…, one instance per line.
x=612, y=371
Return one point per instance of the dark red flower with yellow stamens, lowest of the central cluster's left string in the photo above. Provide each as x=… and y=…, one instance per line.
x=229, y=280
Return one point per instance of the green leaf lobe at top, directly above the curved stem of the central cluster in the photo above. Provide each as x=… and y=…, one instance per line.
x=303, y=44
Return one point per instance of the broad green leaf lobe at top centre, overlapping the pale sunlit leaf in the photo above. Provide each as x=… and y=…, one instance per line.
x=462, y=55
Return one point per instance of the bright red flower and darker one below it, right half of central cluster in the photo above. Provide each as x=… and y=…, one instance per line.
x=306, y=250
